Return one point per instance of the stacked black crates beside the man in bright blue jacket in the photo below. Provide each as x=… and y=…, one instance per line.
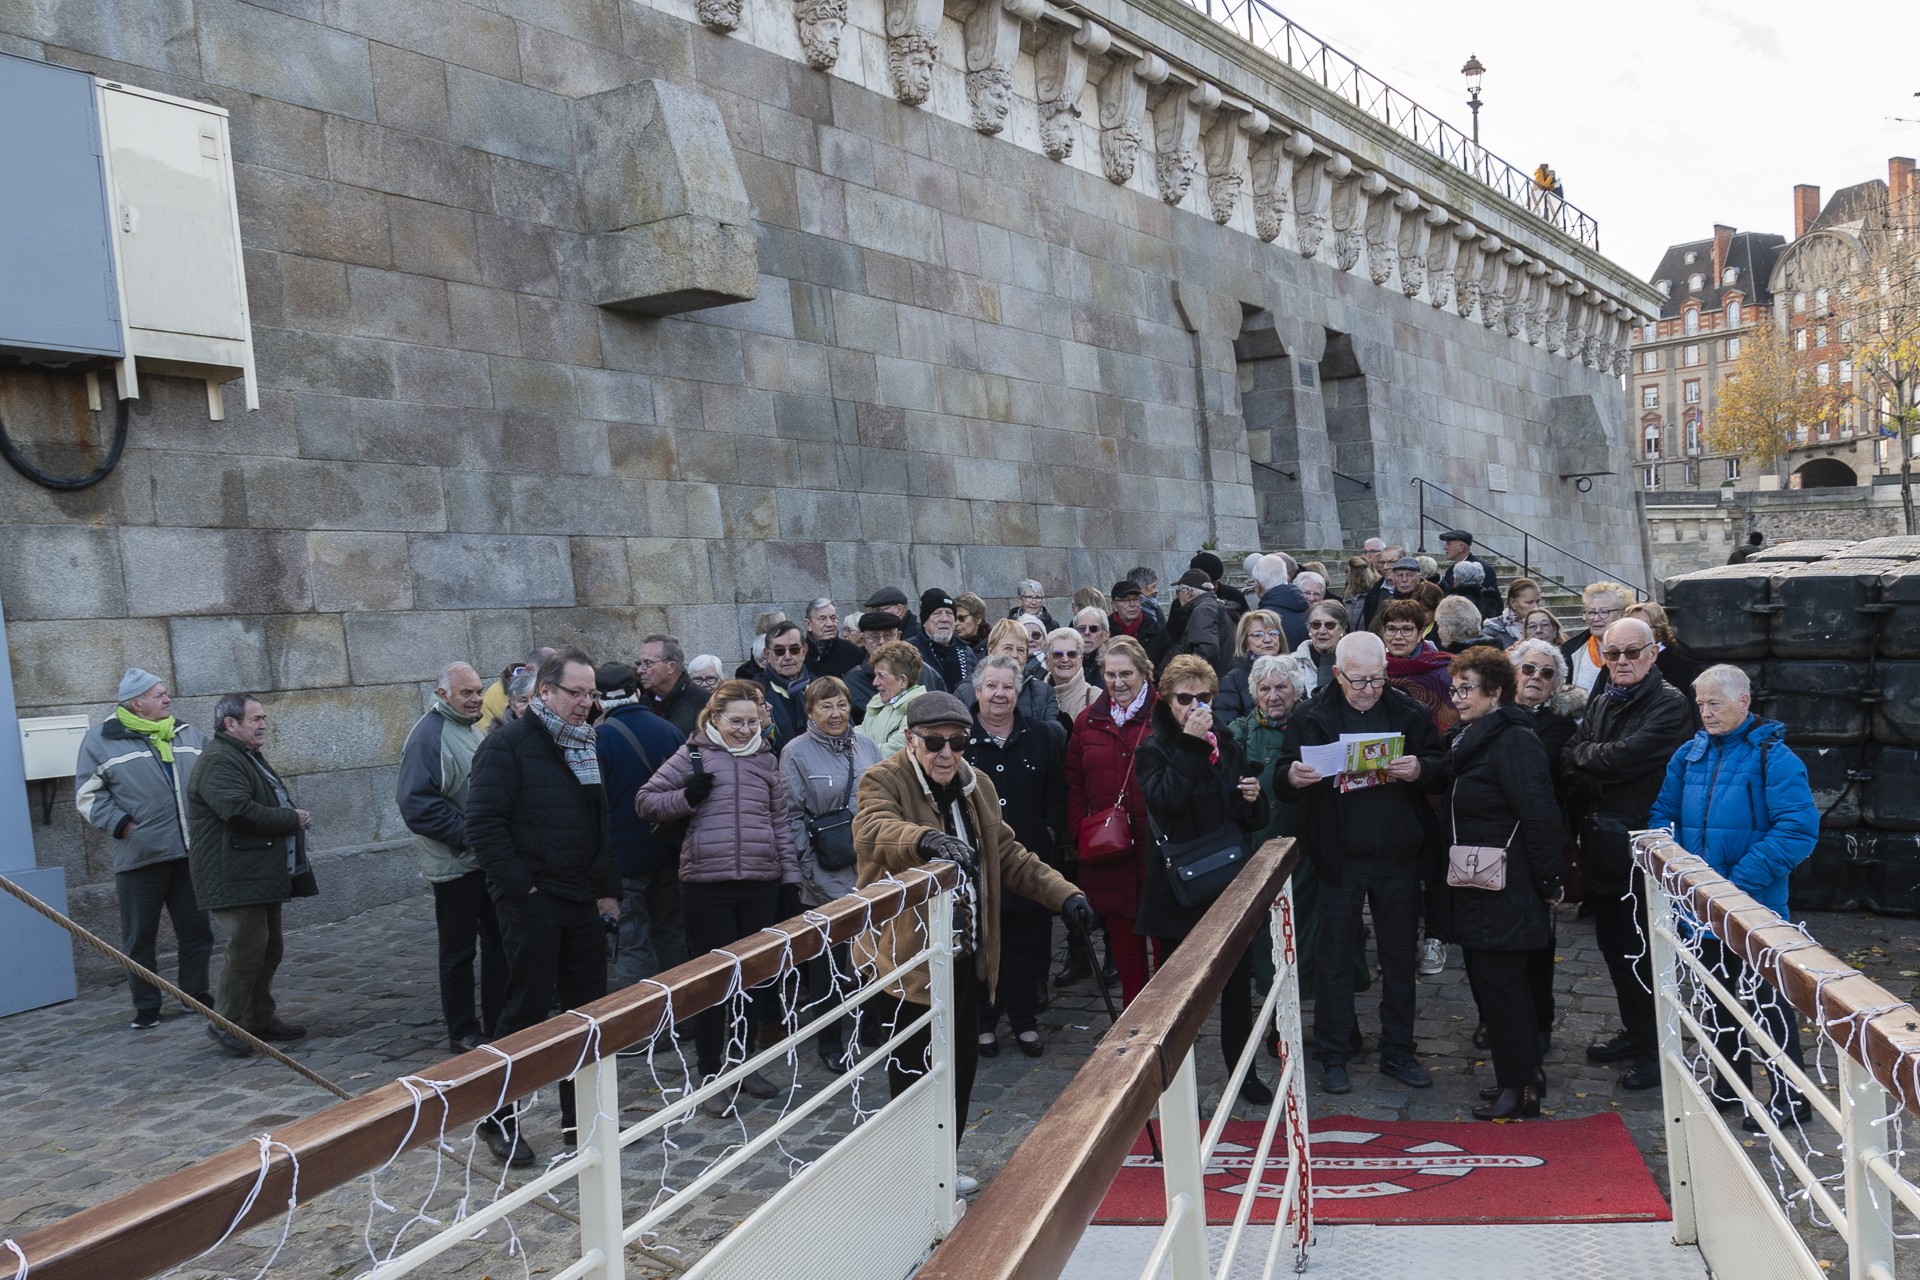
x=1831, y=636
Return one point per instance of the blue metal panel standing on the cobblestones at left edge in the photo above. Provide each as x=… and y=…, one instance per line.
x=36, y=955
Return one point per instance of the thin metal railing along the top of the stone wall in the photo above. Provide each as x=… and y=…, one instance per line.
x=1307, y=55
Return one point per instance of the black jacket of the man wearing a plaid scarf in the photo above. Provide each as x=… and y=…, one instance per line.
x=531, y=824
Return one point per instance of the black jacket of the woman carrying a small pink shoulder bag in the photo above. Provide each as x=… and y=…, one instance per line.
x=1502, y=794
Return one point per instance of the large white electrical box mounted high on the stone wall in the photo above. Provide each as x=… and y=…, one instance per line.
x=178, y=241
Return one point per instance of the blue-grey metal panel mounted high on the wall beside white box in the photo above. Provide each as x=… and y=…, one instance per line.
x=59, y=296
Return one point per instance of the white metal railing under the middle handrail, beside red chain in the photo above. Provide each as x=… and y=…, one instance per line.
x=1189, y=1156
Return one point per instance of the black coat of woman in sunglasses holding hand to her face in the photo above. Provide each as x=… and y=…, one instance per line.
x=1188, y=799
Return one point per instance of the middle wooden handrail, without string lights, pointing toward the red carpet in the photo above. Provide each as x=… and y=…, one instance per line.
x=1028, y=1223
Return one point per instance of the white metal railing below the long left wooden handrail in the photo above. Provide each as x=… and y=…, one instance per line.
x=898, y=1164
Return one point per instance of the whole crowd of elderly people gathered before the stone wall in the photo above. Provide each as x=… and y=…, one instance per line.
x=1452, y=763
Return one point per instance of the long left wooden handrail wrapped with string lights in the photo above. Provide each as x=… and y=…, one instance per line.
x=181, y=1216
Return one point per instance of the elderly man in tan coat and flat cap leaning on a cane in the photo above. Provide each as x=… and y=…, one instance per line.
x=928, y=805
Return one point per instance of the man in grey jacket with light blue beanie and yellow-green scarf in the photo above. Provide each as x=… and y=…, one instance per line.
x=132, y=784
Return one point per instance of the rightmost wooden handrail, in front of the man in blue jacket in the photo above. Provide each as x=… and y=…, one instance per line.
x=1886, y=1043
